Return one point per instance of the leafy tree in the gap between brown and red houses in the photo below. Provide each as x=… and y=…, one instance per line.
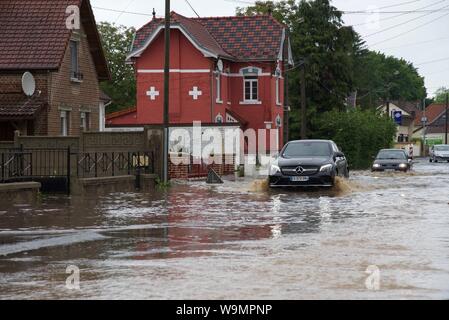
x=117, y=41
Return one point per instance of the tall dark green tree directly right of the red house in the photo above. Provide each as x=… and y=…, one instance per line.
x=319, y=38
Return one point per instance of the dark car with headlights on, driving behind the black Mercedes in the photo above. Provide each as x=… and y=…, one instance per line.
x=392, y=160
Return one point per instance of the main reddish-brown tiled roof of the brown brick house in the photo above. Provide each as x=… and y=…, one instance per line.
x=34, y=35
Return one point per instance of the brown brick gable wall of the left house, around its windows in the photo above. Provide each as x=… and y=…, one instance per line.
x=74, y=96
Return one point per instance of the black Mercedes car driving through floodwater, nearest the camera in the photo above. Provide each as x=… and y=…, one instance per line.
x=308, y=163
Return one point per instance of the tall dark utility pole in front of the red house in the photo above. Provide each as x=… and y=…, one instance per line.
x=166, y=90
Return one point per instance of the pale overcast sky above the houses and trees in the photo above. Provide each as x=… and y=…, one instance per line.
x=421, y=41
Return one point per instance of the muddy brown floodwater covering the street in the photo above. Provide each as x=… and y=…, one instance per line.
x=377, y=236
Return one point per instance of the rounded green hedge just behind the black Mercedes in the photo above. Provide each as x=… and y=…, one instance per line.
x=360, y=134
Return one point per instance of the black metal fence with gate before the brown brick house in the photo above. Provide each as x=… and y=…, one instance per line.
x=54, y=168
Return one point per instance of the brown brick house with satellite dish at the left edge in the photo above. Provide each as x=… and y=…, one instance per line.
x=67, y=65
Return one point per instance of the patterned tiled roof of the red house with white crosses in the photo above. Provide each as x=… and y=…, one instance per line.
x=237, y=38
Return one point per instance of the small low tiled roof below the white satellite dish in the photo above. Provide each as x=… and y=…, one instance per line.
x=19, y=106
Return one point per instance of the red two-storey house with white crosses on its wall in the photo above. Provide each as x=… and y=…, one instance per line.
x=222, y=70
